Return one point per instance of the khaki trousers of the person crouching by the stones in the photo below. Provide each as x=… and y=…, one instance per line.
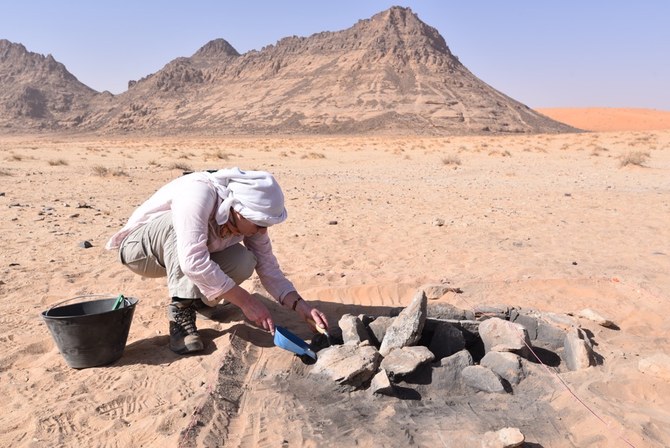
x=151, y=251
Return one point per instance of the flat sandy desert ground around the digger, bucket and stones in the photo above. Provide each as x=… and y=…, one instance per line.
x=554, y=223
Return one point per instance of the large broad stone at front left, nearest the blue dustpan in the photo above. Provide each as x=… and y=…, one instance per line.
x=348, y=364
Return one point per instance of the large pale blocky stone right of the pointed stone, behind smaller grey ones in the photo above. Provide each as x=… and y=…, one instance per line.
x=503, y=336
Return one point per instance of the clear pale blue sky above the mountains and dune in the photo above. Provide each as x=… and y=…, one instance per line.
x=567, y=53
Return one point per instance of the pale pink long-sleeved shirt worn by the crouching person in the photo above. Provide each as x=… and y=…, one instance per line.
x=193, y=202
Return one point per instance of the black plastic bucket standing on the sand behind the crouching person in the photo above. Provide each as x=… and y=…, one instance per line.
x=92, y=333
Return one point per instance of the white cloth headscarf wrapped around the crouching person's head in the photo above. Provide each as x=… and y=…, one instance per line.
x=256, y=195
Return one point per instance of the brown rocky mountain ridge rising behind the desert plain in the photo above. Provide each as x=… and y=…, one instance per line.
x=391, y=73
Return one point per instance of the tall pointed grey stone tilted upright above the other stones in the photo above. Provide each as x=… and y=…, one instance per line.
x=407, y=326
